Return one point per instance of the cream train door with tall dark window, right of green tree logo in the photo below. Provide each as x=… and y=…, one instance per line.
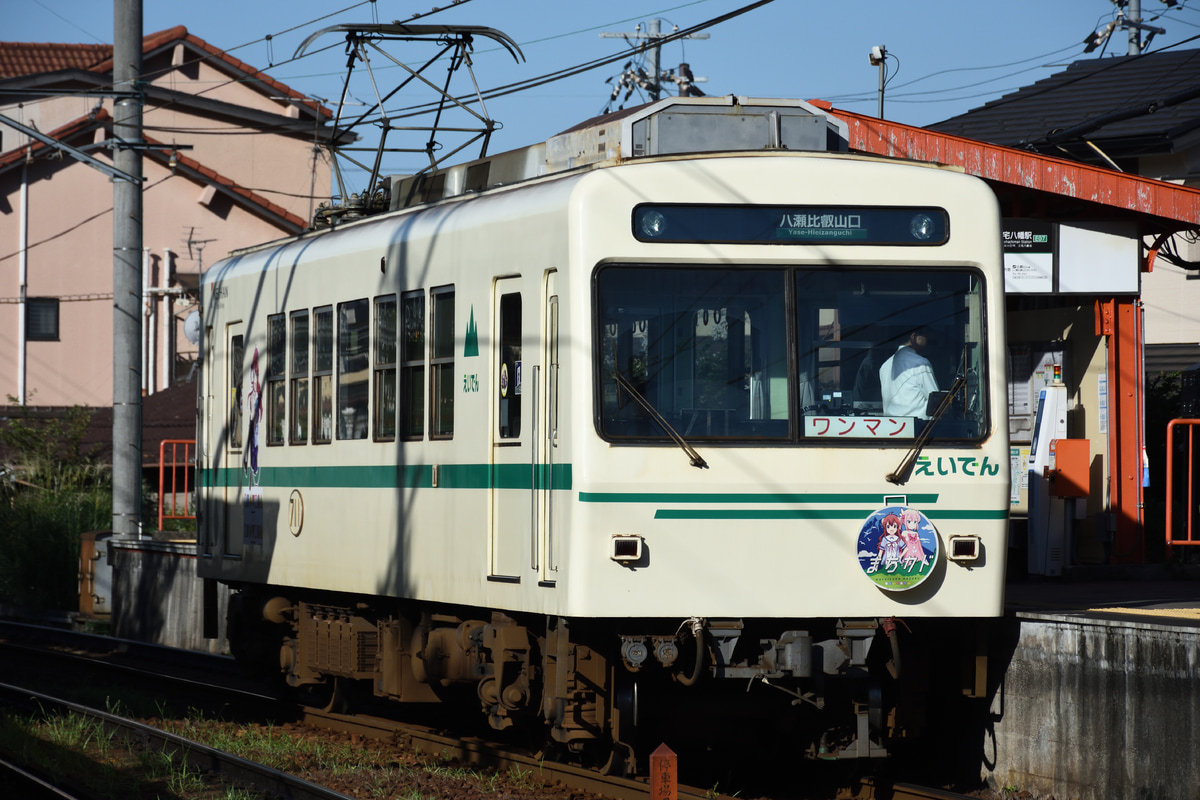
x=513, y=466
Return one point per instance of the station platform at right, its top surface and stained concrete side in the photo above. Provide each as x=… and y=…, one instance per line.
x=1093, y=685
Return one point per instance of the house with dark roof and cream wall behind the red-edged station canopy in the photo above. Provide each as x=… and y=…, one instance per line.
x=1137, y=115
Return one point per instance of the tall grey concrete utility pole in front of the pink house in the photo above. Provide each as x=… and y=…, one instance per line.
x=128, y=269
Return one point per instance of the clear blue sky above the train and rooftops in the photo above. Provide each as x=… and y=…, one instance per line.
x=945, y=57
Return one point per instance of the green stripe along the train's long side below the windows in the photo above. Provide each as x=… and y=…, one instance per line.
x=415, y=477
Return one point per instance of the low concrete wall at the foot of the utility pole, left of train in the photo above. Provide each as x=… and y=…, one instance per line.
x=158, y=598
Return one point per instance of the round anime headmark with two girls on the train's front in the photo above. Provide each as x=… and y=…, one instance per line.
x=898, y=549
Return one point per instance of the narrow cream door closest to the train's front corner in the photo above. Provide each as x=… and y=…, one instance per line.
x=547, y=389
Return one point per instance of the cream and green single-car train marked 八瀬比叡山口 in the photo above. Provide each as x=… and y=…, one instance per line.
x=591, y=438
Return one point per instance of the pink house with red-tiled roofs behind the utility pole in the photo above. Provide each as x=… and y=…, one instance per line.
x=233, y=158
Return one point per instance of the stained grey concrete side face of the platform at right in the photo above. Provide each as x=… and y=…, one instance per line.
x=1096, y=709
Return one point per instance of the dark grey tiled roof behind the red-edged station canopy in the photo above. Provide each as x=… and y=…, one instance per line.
x=1129, y=106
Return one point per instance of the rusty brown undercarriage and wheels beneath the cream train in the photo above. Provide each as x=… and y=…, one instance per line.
x=610, y=691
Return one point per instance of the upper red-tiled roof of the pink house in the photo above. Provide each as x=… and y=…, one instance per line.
x=20, y=59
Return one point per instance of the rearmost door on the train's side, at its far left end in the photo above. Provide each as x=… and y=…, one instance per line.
x=232, y=476
